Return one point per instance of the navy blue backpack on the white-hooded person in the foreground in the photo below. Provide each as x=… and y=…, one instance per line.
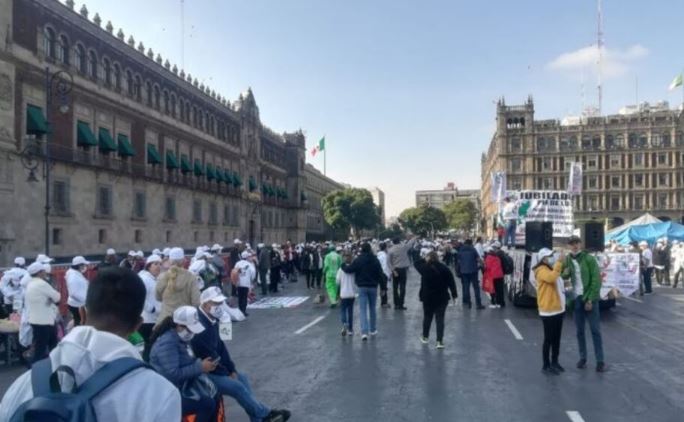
x=49, y=403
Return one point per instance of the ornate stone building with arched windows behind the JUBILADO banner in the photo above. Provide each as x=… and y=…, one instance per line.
x=632, y=162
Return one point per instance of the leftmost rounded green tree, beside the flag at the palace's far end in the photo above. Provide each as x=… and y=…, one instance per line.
x=350, y=209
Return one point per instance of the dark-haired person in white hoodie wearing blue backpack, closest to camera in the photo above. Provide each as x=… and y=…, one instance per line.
x=94, y=373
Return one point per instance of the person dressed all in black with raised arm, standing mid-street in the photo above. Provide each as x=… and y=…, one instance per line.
x=436, y=281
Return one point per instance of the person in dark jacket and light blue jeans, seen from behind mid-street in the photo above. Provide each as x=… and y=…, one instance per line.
x=368, y=274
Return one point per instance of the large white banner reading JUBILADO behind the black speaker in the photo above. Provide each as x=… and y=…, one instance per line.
x=541, y=205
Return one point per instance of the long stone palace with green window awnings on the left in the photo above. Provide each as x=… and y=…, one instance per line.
x=142, y=154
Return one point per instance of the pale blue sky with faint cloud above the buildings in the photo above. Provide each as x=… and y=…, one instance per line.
x=404, y=91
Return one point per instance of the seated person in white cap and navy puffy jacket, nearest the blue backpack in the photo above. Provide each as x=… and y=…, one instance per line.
x=169, y=356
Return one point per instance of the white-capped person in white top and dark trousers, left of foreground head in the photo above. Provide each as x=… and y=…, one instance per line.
x=41, y=304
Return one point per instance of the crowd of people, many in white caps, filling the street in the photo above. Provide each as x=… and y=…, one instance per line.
x=167, y=309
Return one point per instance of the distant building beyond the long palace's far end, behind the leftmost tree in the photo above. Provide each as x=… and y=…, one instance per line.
x=317, y=186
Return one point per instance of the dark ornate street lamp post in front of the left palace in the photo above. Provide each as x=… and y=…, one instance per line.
x=58, y=86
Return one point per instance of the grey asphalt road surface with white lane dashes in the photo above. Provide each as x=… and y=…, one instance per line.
x=484, y=374
